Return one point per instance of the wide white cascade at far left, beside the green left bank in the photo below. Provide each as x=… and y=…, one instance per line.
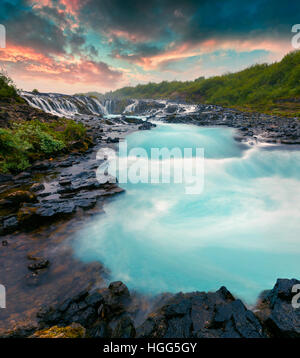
x=64, y=105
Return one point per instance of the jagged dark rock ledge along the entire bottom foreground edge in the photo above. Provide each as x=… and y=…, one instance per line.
x=114, y=313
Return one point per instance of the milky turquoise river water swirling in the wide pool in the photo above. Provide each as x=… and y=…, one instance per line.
x=242, y=231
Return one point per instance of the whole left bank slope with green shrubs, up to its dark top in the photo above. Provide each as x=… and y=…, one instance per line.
x=26, y=138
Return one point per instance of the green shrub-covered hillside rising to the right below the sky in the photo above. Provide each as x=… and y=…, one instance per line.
x=266, y=88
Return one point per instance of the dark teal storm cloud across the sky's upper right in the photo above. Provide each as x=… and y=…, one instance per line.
x=191, y=21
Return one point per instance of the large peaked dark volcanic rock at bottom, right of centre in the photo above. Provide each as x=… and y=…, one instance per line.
x=202, y=315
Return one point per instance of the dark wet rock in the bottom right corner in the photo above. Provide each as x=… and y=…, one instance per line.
x=276, y=311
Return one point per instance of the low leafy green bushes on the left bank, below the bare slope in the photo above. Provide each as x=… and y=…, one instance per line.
x=27, y=141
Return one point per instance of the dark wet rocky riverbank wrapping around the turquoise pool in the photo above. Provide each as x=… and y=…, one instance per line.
x=42, y=207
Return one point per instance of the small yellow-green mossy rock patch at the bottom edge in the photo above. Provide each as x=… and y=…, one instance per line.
x=75, y=330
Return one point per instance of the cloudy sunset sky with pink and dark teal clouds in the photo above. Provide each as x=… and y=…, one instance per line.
x=72, y=46
